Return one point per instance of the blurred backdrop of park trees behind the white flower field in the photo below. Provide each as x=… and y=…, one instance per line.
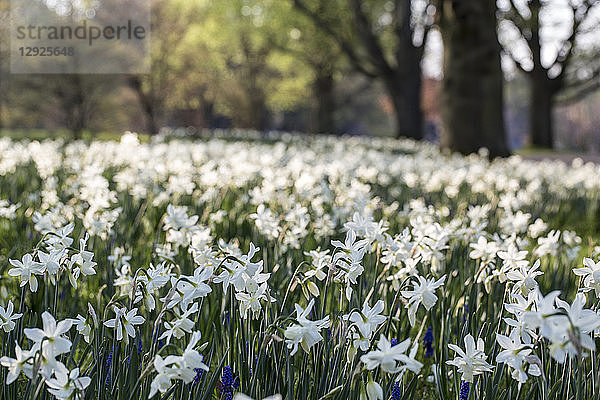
x=469, y=74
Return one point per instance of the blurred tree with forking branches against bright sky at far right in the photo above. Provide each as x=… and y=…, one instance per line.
x=553, y=63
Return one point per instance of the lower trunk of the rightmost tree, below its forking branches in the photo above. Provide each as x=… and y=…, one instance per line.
x=540, y=112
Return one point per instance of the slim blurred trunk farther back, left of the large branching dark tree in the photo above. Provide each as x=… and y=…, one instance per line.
x=324, y=101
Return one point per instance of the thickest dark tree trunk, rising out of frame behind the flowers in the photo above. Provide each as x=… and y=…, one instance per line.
x=472, y=89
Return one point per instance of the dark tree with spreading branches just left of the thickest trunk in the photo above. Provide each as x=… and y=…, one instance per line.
x=396, y=62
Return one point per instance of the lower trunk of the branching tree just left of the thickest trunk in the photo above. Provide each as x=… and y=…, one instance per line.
x=405, y=94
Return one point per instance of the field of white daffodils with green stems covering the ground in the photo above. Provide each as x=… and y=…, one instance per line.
x=295, y=268
